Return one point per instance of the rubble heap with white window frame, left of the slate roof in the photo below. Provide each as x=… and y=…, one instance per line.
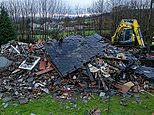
x=26, y=72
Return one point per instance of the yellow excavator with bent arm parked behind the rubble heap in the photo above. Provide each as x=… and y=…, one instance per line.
x=128, y=33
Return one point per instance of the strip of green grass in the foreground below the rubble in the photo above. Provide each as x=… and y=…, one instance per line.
x=47, y=105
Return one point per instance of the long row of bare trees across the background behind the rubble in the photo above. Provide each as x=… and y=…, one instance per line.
x=105, y=16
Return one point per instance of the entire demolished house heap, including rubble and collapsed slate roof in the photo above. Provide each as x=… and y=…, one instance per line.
x=70, y=67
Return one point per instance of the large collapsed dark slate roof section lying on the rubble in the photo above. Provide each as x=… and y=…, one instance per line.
x=73, y=52
